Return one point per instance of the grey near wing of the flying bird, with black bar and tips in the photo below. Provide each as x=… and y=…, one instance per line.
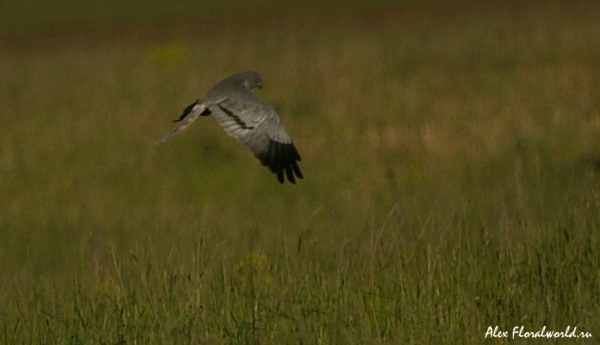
x=255, y=124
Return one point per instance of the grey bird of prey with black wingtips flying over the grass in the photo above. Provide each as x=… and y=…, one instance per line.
x=248, y=119
